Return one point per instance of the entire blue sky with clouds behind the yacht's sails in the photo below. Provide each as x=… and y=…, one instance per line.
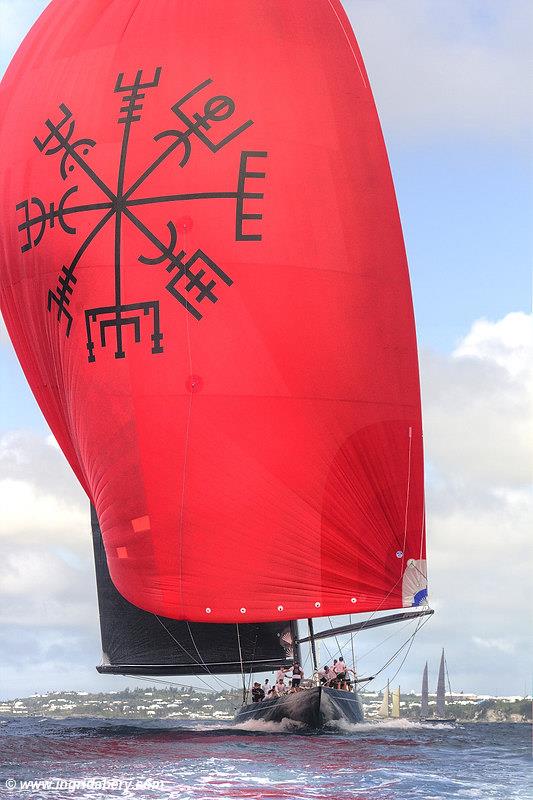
x=451, y=83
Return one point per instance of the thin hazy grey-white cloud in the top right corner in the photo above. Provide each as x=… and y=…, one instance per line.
x=439, y=66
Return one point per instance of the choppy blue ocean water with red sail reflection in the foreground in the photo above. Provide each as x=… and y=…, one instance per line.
x=91, y=759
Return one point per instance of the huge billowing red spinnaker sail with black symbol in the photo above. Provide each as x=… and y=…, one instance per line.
x=203, y=274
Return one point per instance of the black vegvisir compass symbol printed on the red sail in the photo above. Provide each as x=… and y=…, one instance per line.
x=196, y=277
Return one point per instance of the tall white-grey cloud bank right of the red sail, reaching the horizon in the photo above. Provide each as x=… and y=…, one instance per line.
x=478, y=425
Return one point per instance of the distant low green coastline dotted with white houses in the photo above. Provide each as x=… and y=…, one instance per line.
x=176, y=703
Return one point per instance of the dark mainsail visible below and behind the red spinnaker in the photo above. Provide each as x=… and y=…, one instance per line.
x=136, y=642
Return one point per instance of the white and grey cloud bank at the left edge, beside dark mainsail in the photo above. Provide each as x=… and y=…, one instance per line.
x=46, y=570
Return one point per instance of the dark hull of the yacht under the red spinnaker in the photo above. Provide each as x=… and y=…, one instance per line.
x=314, y=708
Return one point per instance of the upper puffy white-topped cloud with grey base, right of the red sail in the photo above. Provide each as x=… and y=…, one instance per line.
x=477, y=406
